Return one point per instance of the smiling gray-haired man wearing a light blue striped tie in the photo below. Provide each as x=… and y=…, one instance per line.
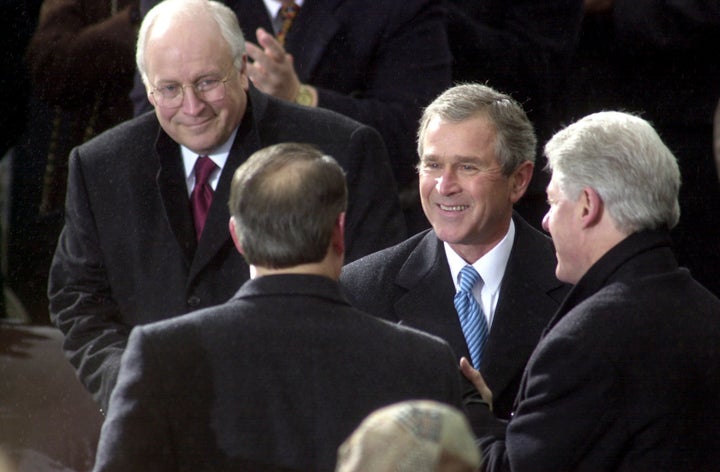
x=476, y=149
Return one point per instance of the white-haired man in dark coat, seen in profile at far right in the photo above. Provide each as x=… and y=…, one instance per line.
x=627, y=375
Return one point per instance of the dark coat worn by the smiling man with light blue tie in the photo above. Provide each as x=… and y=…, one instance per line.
x=411, y=284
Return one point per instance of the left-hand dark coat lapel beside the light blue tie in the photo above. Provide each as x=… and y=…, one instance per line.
x=427, y=303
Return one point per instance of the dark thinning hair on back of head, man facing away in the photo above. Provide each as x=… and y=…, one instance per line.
x=286, y=199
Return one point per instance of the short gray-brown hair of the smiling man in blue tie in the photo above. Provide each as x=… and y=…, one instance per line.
x=516, y=141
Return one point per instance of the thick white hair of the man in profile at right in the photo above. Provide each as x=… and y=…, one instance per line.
x=624, y=160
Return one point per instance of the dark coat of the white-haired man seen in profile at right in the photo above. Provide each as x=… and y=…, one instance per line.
x=628, y=375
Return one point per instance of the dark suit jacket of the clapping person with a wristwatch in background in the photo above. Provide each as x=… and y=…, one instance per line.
x=377, y=62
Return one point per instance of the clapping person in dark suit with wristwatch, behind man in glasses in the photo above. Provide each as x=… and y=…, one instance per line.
x=377, y=62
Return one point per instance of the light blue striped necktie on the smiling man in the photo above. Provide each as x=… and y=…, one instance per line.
x=472, y=318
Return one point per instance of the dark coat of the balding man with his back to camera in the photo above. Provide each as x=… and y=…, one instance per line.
x=280, y=375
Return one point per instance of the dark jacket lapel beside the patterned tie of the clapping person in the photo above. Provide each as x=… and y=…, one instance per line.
x=315, y=26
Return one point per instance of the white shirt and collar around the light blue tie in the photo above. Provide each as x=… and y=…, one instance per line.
x=491, y=268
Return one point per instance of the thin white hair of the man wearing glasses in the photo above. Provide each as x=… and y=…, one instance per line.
x=225, y=18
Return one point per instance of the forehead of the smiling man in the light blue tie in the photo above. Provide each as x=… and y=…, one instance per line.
x=470, y=138
